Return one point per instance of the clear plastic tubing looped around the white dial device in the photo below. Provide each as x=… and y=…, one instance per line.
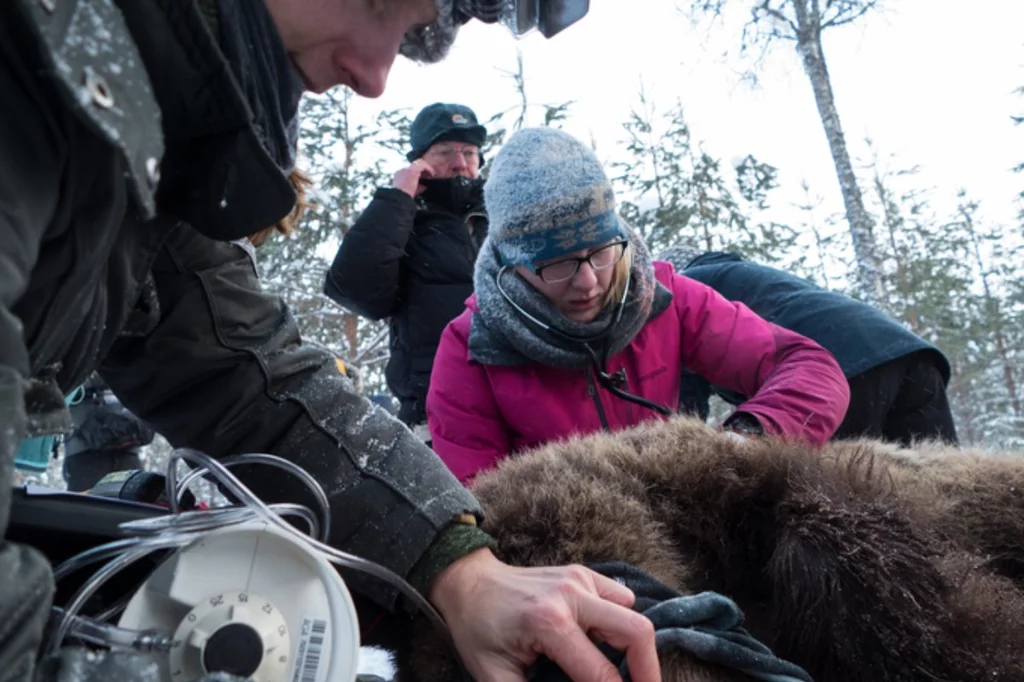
x=180, y=529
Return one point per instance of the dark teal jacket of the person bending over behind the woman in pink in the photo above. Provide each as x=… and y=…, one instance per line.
x=861, y=336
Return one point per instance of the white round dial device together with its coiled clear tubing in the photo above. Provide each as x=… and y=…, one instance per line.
x=197, y=622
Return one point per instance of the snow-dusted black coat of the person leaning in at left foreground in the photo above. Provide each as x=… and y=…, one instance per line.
x=101, y=267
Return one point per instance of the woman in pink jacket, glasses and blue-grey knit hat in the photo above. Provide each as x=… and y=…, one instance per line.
x=574, y=329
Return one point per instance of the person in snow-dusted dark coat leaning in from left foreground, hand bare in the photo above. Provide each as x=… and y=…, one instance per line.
x=141, y=142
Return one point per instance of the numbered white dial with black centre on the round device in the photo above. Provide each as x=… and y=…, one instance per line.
x=238, y=633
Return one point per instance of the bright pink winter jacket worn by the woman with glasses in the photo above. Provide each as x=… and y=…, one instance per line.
x=480, y=414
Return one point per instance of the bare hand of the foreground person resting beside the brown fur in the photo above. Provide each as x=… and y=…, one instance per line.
x=503, y=618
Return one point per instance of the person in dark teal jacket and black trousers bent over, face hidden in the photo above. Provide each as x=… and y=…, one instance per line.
x=898, y=380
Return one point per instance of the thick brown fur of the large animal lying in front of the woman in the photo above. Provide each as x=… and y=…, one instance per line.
x=859, y=562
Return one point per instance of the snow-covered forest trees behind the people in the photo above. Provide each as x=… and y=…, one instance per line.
x=953, y=277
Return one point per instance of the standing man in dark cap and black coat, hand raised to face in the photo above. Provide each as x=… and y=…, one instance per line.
x=410, y=257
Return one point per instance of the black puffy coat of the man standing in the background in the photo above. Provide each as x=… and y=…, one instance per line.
x=411, y=262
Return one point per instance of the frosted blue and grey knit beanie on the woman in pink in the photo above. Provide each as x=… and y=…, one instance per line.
x=548, y=196
